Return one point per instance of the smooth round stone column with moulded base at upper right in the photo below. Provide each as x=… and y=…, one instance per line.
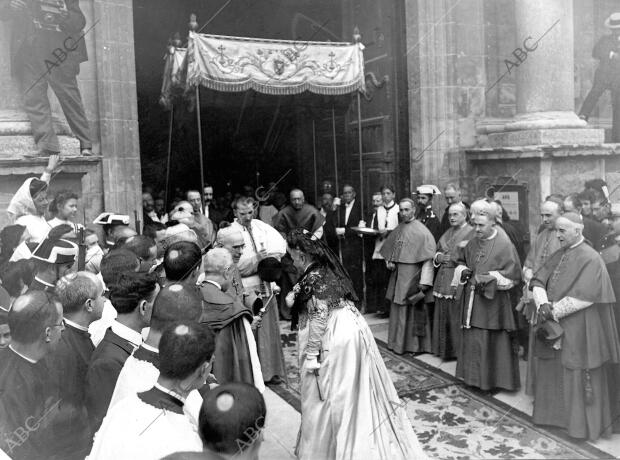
x=544, y=60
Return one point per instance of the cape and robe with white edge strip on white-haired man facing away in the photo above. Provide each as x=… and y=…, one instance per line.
x=233, y=359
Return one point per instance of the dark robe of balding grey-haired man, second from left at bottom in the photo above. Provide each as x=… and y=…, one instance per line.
x=68, y=365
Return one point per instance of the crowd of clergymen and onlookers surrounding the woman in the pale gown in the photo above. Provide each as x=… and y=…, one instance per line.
x=117, y=350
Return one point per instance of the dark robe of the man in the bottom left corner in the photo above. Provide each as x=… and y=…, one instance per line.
x=28, y=407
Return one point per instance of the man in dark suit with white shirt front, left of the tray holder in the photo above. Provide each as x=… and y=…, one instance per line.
x=347, y=216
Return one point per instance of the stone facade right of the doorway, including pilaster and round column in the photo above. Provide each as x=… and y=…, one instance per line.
x=477, y=120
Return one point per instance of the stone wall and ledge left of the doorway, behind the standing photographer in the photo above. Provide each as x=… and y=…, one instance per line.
x=111, y=179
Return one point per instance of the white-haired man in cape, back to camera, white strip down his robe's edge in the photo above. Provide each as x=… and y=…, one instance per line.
x=236, y=356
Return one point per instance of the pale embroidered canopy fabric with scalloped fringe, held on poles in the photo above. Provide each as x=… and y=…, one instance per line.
x=278, y=67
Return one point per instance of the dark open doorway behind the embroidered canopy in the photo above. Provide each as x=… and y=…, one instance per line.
x=248, y=138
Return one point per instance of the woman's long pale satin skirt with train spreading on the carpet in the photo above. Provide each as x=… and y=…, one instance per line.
x=360, y=415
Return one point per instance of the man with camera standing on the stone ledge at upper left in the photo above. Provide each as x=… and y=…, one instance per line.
x=46, y=50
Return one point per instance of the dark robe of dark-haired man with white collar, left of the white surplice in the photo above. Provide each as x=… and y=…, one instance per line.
x=105, y=365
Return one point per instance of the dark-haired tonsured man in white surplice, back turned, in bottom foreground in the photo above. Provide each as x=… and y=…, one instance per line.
x=152, y=424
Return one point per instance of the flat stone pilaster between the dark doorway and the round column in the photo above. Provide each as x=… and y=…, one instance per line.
x=446, y=65
